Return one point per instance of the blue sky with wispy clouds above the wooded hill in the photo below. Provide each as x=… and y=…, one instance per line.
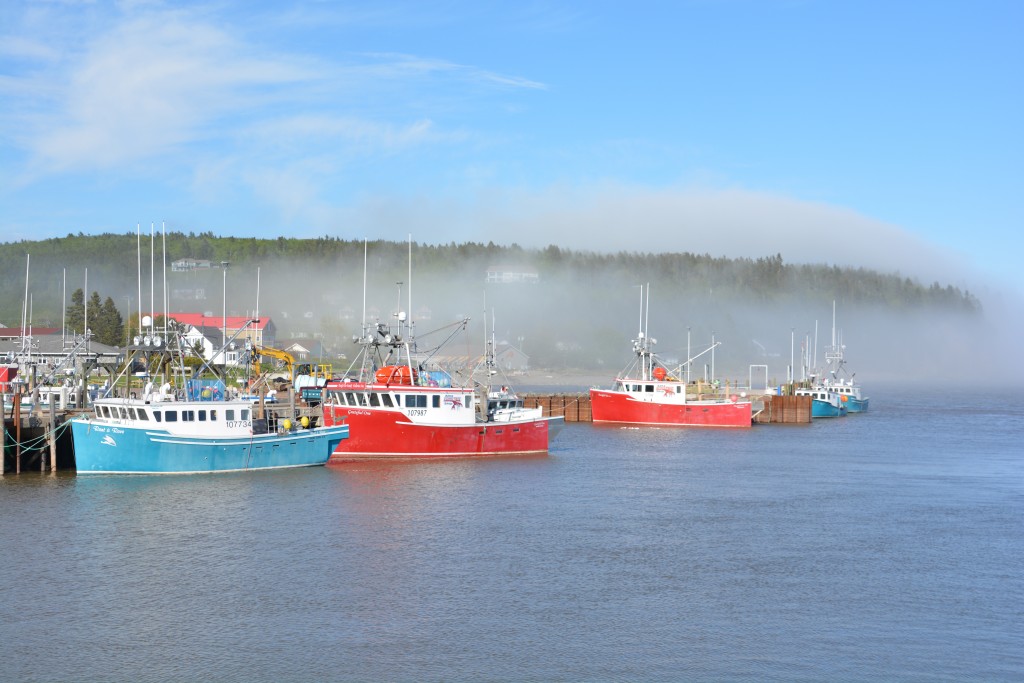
x=884, y=135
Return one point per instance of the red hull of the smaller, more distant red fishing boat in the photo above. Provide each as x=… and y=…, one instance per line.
x=621, y=408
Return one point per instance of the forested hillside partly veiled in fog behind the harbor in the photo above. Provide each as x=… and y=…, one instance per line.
x=582, y=305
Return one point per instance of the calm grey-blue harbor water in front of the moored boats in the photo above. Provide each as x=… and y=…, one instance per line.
x=885, y=546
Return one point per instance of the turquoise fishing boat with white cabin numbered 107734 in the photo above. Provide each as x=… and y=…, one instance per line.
x=159, y=435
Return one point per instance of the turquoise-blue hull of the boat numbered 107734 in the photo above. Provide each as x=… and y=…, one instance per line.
x=105, y=449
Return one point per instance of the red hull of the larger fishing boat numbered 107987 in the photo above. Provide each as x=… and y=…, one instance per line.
x=385, y=435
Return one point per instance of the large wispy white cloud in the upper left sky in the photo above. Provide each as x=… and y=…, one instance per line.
x=154, y=84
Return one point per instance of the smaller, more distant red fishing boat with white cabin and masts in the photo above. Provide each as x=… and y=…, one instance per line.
x=648, y=394
